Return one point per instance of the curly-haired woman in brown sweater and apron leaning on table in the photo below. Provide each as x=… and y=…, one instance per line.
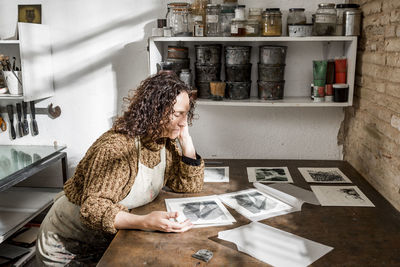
x=123, y=169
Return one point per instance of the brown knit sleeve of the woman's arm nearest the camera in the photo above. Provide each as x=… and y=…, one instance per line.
x=106, y=178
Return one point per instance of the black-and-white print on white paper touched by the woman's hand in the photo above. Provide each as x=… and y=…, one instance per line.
x=201, y=211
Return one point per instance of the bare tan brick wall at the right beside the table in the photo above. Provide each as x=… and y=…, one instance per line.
x=370, y=132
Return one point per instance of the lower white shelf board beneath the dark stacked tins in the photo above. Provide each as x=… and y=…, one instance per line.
x=286, y=102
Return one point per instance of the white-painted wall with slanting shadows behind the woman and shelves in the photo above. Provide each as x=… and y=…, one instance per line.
x=99, y=53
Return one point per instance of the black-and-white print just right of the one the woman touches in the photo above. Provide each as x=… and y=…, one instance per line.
x=254, y=204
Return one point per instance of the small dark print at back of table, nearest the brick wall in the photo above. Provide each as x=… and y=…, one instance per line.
x=324, y=175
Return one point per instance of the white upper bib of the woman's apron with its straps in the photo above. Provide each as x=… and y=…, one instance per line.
x=148, y=182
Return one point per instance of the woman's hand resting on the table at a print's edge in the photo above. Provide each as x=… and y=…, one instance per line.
x=160, y=221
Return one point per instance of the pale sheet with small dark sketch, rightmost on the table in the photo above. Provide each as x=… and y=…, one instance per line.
x=341, y=196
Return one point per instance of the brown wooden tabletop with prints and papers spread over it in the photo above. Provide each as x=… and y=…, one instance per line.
x=361, y=236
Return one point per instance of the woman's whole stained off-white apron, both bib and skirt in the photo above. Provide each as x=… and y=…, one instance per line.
x=64, y=241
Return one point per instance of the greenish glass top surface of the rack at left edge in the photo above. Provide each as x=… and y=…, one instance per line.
x=19, y=205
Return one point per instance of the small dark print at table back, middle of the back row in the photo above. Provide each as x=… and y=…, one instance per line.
x=269, y=175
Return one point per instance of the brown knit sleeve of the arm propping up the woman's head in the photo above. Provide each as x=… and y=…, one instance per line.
x=183, y=174
